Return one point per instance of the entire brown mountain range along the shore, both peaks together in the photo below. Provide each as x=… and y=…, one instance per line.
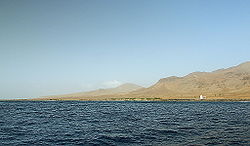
x=230, y=83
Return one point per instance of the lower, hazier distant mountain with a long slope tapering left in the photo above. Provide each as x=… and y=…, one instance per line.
x=122, y=89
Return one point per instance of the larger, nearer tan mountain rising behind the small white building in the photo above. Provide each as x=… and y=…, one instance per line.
x=230, y=82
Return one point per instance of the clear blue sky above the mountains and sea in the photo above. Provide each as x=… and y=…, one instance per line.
x=50, y=47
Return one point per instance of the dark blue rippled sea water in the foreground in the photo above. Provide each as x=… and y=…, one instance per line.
x=124, y=123
